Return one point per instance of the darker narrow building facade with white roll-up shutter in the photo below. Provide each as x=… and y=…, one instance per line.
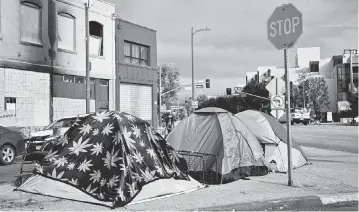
x=136, y=70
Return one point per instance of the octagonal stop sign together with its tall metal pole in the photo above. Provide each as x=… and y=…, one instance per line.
x=284, y=28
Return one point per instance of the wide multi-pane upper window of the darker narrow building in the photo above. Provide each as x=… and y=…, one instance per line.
x=136, y=54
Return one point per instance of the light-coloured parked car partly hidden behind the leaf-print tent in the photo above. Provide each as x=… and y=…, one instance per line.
x=58, y=127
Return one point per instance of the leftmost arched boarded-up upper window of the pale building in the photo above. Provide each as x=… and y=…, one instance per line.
x=31, y=23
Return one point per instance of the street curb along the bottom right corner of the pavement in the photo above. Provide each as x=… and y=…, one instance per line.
x=296, y=203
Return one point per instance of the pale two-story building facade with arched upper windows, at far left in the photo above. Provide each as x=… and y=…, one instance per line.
x=43, y=60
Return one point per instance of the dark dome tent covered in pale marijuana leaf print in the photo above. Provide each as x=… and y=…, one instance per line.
x=110, y=158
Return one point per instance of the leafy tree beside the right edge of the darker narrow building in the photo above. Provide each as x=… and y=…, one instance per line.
x=169, y=81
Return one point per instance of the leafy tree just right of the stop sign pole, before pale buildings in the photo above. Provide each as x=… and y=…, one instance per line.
x=318, y=96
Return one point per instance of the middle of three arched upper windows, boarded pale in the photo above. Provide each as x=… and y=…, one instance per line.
x=66, y=31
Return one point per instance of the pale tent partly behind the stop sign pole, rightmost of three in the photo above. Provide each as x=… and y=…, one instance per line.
x=273, y=137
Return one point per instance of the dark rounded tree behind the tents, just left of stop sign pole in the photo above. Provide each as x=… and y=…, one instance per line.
x=258, y=89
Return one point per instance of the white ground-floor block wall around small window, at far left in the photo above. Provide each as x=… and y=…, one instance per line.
x=31, y=90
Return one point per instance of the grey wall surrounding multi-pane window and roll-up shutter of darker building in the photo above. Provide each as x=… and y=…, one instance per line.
x=136, y=74
